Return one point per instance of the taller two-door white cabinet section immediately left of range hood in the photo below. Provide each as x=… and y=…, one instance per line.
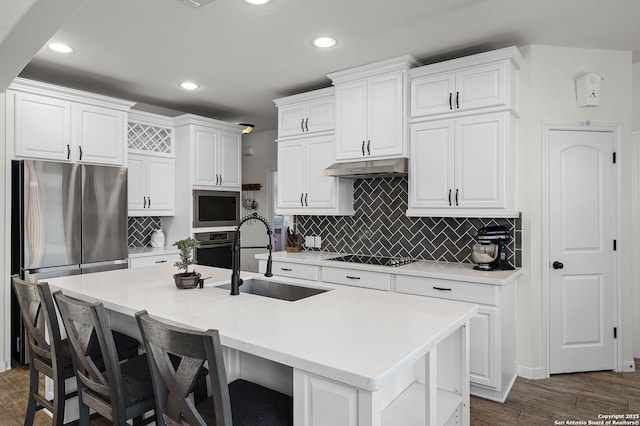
x=302, y=188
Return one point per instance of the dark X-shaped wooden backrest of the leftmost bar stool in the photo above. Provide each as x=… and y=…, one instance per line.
x=39, y=317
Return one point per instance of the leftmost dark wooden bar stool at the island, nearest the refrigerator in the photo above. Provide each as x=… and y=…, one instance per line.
x=48, y=353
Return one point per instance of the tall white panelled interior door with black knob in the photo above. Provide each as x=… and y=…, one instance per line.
x=581, y=249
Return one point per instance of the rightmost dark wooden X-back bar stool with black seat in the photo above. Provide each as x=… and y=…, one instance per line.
x=240, y=403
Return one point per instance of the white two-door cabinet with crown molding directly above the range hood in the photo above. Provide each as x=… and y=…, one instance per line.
x=371, y=110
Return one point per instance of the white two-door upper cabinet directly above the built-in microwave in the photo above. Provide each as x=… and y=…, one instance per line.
x=213, y=149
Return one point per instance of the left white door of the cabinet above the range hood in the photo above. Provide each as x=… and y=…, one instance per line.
x=351, y=120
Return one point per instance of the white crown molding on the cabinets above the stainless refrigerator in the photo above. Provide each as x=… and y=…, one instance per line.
x=24, y=85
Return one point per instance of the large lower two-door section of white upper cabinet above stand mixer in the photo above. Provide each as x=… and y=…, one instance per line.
x=459, y=167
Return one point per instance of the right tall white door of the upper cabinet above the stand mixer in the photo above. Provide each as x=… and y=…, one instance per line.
x=479, y=160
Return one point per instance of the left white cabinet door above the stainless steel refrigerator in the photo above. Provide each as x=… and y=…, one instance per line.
x=42, y=127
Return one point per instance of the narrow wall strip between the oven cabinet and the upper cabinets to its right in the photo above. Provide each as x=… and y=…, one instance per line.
x=255, y=170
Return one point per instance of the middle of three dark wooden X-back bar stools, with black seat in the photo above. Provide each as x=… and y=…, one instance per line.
x=118, y=392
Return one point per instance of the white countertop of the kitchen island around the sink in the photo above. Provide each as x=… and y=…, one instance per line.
x=356, y=336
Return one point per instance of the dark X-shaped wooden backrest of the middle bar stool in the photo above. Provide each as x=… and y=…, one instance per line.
x=104, y=386
